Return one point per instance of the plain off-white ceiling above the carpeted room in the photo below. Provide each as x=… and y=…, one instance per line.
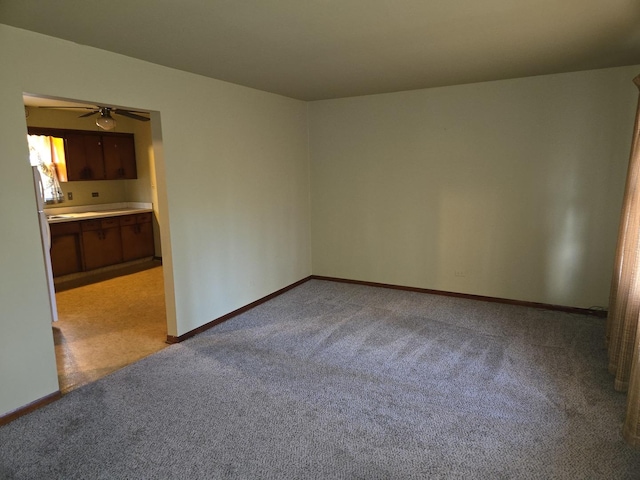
x=319, y=49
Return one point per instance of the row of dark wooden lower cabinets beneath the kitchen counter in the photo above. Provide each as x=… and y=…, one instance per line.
x=89, y=244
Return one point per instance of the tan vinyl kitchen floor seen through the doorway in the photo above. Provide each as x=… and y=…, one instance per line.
x=105, y=326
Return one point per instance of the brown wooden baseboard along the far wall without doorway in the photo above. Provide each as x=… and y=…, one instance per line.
x=545, y=306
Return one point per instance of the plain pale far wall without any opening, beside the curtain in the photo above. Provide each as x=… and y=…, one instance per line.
x=507, y=189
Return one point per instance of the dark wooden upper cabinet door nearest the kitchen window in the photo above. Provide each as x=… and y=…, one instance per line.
x=84, y=156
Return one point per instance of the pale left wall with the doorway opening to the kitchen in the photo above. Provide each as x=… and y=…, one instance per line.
x=233, y=179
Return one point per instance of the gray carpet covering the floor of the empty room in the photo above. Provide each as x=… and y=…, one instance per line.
x=334, y=380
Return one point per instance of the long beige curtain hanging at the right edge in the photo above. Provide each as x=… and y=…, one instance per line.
x=624, y=302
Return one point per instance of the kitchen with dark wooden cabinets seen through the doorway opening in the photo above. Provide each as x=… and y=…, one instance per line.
x=100, y=229
